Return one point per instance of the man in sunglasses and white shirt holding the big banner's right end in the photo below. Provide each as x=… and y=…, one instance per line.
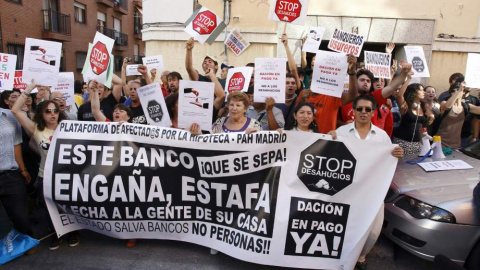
x=362, y=128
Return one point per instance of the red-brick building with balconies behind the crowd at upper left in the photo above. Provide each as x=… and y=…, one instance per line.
x=74, y=24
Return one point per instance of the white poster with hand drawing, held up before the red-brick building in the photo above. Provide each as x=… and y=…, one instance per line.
x=41, y=61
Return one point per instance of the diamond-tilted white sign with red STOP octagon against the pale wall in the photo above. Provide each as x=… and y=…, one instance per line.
x=204, y=25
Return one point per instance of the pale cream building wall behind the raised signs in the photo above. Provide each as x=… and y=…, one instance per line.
x=446, y=30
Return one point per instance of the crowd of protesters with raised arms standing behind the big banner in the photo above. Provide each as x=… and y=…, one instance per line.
x=372, y=109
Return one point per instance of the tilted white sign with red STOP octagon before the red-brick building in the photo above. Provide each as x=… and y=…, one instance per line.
x=99, y=62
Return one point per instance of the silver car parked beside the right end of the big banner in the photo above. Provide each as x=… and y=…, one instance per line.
x=432, y=213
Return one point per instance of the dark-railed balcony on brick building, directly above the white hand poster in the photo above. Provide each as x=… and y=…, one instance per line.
x=56, y=26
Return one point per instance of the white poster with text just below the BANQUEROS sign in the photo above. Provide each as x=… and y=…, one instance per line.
x=329, y=71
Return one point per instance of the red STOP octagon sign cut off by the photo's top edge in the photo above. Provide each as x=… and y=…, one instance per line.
x=289, y=11
